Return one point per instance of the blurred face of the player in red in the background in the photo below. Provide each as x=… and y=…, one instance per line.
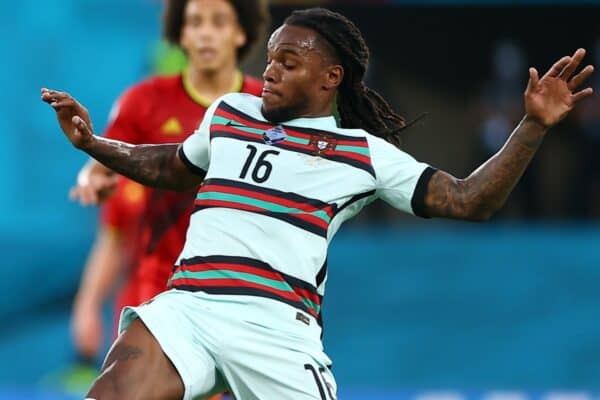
x=211, y=34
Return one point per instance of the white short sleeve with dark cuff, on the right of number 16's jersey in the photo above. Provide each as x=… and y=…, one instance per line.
x=401, y=180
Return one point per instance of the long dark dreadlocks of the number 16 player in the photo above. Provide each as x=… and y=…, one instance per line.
x=358, y=105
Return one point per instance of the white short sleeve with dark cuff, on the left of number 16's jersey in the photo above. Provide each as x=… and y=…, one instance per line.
x=195, y=151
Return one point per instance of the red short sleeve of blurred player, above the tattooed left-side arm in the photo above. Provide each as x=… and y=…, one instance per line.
x=126, y=116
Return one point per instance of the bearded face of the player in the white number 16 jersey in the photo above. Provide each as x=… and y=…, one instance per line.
x=294, y=79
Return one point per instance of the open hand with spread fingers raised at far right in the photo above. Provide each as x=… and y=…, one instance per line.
x=549, y=99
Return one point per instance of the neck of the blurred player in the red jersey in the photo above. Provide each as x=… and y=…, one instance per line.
x=210, y=85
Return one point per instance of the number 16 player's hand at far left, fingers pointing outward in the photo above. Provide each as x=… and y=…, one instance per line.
x=73, y=118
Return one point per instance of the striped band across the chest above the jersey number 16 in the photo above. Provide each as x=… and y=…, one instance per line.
x=228, y=122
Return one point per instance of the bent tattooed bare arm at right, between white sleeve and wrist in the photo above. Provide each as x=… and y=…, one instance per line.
x=485, y=191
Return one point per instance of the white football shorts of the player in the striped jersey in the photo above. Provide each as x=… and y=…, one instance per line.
x=253, y=347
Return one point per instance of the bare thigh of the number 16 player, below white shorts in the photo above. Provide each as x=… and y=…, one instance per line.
x=137, y=368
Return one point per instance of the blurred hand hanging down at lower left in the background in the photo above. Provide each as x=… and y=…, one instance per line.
x=86, y=327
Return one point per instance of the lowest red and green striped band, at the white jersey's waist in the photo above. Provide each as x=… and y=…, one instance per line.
x=245, y=276
